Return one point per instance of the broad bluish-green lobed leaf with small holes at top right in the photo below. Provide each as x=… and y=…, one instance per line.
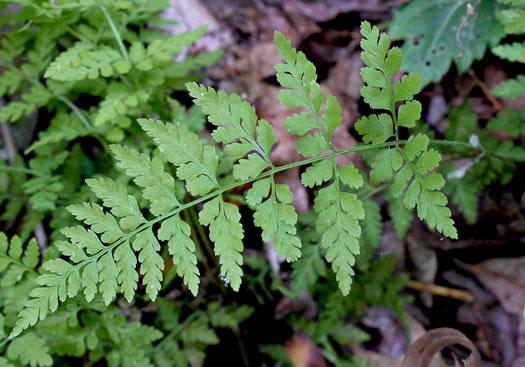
x=429, y=29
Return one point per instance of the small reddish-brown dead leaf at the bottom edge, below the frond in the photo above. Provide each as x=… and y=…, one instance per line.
x=303, y=353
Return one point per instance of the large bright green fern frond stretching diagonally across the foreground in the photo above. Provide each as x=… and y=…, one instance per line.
x=118, y=236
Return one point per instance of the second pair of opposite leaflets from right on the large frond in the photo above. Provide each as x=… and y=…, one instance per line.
x=334, y=206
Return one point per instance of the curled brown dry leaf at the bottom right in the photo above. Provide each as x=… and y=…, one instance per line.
x=422, y=351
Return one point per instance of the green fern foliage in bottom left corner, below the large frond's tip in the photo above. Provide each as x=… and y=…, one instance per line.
x=94, y=331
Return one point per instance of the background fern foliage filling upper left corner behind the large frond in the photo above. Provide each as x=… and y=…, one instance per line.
x=96, y=66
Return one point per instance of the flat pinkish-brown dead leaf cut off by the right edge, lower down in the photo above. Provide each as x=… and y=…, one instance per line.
x=506, y=279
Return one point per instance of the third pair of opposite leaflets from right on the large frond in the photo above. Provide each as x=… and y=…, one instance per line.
x=237, y=128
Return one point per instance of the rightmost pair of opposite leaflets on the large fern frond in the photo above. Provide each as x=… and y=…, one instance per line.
x=411, y=166
